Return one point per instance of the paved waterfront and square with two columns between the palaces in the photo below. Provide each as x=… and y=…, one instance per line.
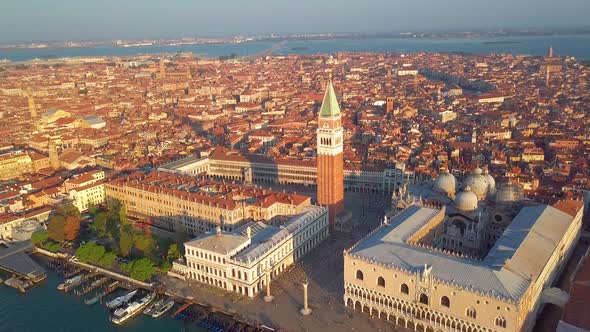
x=325, y=296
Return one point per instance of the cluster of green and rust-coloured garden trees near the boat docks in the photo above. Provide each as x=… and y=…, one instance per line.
x=105, y=237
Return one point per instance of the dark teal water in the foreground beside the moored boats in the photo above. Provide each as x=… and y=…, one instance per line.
x=45, y=309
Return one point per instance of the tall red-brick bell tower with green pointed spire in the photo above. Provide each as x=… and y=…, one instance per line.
x=330, y=165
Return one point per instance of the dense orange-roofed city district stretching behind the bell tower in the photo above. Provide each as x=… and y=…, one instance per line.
x=129, y=114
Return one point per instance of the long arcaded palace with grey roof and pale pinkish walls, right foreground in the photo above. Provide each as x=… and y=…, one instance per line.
x=401, y=272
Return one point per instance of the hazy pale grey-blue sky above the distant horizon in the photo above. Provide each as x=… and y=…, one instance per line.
x=61, y=20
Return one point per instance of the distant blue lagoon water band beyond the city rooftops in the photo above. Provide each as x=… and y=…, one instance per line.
x=565, y=45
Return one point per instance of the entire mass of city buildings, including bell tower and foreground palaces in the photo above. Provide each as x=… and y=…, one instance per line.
x=483, y=216
